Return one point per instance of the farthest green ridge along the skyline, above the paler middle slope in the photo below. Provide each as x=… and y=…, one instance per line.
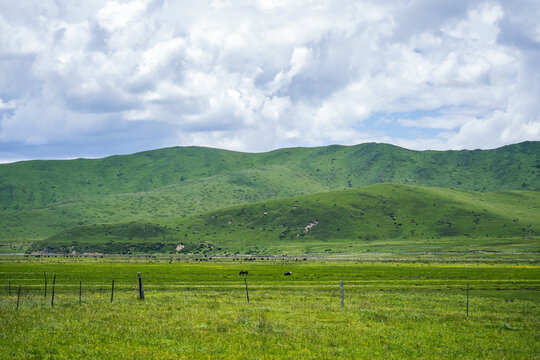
x=39, y=183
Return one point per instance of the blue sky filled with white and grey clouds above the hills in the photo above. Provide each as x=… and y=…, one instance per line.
x=92, y=78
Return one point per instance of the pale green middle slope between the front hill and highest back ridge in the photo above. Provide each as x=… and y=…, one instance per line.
x=188, y=197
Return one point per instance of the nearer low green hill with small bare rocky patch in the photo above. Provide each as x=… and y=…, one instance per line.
x=384, y=217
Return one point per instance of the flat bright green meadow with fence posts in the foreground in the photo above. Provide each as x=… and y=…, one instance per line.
x=198, y=310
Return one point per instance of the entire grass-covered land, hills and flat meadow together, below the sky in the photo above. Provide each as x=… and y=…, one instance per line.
x=405, y=249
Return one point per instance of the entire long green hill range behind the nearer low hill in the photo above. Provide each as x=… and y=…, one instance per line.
x=41, y=198
